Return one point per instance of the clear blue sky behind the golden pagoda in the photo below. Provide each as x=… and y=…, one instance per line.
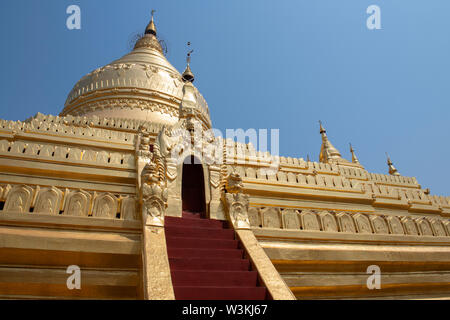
x=263, y=64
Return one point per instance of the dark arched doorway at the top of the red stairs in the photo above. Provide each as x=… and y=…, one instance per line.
x=193, y=187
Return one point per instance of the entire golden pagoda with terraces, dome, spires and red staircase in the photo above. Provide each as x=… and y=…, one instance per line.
x=100, y=188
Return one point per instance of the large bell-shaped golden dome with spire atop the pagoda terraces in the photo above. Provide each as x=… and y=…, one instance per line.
x=141, y=85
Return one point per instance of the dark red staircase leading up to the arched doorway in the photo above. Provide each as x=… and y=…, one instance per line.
x=206, y=262
